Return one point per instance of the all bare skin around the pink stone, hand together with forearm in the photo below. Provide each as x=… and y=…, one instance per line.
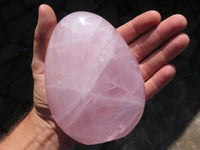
x=153, y=42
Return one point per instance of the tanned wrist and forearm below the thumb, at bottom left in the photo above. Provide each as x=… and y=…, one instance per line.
x=36, y=133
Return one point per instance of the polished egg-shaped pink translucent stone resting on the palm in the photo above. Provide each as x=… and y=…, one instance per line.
x=94, y=85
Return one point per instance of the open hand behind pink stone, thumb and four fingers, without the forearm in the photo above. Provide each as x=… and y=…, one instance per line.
x=144, y=34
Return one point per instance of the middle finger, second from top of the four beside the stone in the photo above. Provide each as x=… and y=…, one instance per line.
x=150, y=41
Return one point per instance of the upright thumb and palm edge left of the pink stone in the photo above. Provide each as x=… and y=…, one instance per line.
x=46, y=23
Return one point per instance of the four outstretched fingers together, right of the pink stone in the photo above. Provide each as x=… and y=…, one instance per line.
x=154, y=44
